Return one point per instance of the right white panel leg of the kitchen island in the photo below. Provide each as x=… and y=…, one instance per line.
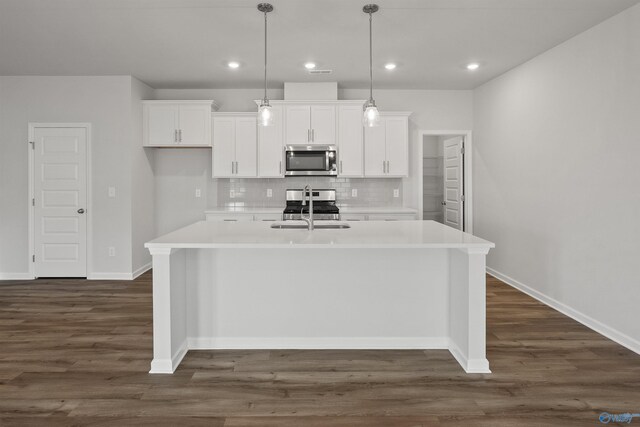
x=467, y=309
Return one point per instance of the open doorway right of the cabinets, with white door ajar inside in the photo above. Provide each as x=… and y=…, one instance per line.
x=446, y=175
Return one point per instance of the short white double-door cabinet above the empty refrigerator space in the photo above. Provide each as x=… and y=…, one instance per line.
x=177, y=123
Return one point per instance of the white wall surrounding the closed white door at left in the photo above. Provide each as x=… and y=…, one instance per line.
x=105, y=103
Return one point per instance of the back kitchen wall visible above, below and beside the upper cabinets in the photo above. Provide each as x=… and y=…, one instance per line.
x=180, y=171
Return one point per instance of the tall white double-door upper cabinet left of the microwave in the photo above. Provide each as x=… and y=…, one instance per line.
x=234, y=153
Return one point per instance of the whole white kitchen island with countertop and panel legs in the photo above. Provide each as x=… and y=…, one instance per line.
x=376, y=285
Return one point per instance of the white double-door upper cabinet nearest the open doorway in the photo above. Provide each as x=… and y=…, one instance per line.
x=386, y=147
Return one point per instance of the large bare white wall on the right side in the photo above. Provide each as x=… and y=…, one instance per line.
x=557, y=146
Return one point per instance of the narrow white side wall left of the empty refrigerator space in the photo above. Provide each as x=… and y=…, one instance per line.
x=142, y=181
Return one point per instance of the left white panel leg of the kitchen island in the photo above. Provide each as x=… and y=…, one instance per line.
x=169, y=310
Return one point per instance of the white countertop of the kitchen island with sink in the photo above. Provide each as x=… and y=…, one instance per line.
x=366, y=234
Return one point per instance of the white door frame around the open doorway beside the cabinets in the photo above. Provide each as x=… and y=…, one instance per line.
x=467, y=181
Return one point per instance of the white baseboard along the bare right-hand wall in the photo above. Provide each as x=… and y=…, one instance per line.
x=609, y=332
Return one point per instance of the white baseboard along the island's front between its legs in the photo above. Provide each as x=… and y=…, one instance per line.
x=323, y=343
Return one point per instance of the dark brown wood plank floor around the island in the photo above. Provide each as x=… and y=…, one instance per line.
x=75, y=352
